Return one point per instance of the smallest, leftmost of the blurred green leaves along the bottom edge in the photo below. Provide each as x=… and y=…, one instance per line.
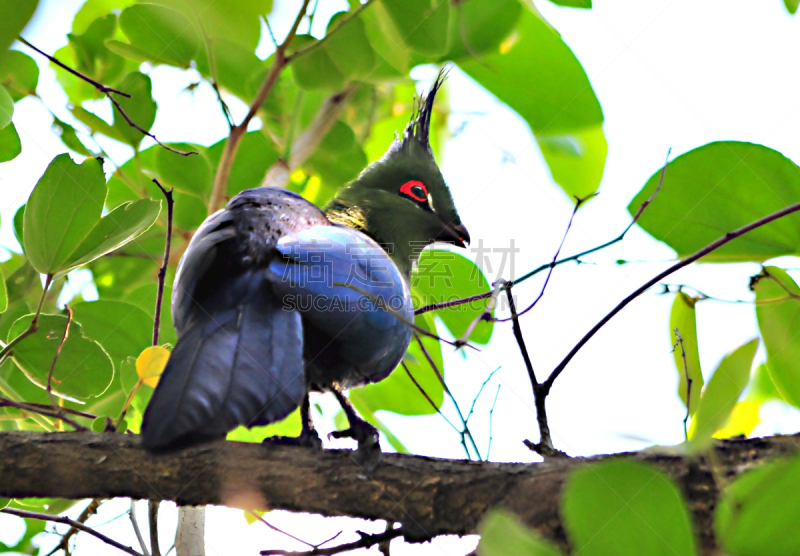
x=503, y=534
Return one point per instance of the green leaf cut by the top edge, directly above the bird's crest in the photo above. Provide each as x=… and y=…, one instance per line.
x=479, y=26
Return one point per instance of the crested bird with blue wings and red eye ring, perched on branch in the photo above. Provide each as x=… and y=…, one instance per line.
x=274, y=297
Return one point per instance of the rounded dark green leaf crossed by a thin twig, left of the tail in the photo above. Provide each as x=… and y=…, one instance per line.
x=83, y=370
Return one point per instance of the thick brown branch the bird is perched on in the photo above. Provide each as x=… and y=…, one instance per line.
x=428, y=496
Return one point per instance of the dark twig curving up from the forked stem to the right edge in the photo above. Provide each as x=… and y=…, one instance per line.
x=647, y=285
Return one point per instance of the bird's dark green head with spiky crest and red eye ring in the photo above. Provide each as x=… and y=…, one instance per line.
x=402, y=200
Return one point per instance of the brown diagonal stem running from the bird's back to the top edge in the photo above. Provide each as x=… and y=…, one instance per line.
x=238, y=131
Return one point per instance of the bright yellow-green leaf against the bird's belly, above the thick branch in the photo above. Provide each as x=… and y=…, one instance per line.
x=397, y=393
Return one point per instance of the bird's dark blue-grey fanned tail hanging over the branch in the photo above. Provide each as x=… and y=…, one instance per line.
x=241, y=366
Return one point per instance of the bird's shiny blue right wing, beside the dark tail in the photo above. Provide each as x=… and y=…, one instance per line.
x=355, y=303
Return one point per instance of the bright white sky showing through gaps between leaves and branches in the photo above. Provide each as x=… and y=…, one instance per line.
x=676, y=74
